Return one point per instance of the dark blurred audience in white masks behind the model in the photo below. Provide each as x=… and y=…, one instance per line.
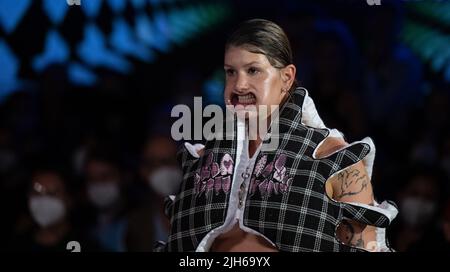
x=87, y=164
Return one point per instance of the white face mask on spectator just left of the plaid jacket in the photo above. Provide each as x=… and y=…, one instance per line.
x=166, y=180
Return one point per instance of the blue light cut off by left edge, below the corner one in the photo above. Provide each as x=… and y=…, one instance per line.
x=10, y=66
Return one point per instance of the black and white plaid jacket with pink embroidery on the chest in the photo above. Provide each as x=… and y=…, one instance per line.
x=286, y=200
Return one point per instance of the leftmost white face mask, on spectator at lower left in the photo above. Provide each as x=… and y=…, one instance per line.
x=46, y=210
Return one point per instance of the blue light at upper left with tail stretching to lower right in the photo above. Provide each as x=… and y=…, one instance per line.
x=92, y=50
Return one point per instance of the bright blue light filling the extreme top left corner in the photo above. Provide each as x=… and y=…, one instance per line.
x=11, y=12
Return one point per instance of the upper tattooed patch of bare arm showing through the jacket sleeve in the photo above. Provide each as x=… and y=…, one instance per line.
x=352, y=182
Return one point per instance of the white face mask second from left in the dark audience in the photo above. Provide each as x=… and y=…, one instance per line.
x=103, y=194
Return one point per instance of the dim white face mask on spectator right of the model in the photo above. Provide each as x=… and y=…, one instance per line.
x=416, y=211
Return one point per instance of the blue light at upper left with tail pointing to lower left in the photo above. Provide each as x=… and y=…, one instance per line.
x=55, y=51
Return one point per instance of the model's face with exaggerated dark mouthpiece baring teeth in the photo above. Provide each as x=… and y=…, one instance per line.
x=251, y=80
